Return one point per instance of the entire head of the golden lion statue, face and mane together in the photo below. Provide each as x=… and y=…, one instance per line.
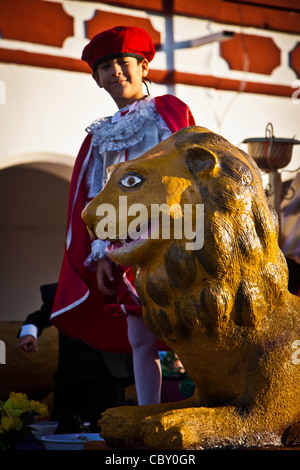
x=234, y=268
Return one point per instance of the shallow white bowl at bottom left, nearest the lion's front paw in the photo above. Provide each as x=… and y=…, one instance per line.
x=68, y=441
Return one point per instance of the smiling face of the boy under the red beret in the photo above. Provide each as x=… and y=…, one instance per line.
x=122, y=79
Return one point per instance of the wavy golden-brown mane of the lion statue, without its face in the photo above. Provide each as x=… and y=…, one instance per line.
x=240, y=269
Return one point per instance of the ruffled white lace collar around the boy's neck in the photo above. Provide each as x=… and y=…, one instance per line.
x=117, y=132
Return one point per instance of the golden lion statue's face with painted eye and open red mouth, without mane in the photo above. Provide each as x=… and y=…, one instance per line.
x=150, y=196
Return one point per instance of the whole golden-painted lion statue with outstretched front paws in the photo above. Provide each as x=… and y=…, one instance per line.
x=223, y=307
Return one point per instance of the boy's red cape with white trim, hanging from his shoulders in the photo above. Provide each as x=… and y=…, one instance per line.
x=78, y=309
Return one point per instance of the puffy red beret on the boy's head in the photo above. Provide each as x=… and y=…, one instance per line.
x=120, y=41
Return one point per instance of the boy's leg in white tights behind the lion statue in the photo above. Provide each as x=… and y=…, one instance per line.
x=146, y=363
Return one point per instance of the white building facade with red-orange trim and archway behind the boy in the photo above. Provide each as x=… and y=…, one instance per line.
x=235, y=63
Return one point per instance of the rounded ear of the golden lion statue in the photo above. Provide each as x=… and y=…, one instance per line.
x=200, y=160
